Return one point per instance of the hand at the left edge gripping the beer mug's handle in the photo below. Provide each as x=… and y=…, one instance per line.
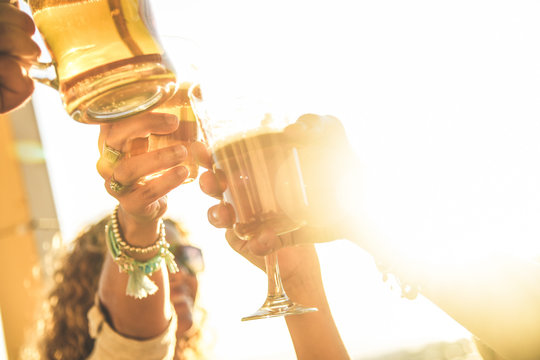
x=17, y=52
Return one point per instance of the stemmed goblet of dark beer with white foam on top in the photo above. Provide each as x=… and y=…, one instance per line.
x=264, y=181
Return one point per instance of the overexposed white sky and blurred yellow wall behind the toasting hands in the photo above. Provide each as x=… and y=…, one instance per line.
x=440, y=101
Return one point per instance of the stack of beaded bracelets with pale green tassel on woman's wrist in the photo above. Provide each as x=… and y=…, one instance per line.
x=139, y=284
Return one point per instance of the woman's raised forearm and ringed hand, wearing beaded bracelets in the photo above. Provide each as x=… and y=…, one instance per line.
x=141, y=207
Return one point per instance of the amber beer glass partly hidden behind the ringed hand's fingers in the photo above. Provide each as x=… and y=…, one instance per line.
x=188, y=129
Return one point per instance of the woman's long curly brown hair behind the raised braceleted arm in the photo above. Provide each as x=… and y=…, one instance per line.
x=62, y=331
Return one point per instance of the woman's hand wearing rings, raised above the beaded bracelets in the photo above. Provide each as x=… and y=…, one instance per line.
x=129, y=169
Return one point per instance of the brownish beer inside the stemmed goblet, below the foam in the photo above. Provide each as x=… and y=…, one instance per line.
x=264, y=182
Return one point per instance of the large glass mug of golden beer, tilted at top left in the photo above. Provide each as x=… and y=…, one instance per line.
x=109, y=63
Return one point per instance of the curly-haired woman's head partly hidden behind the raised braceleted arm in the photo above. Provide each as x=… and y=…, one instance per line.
x=63, y=328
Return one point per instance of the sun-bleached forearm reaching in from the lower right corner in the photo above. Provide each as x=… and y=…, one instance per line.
x=493, y=295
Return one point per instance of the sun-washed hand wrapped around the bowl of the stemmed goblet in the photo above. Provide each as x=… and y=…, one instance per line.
x=329, y=168
